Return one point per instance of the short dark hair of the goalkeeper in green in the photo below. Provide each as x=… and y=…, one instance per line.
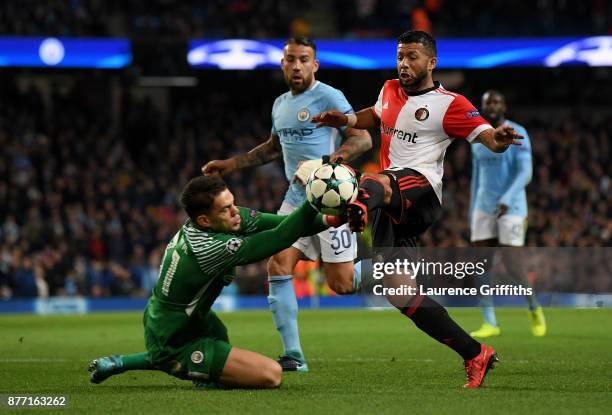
x=199, y=194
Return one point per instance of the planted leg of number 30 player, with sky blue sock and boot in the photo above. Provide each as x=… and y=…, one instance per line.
x=284, y=308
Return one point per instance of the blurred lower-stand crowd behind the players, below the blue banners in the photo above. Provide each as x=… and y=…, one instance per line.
x=89, y=189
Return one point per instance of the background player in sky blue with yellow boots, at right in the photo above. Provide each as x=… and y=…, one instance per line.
x=498, y=208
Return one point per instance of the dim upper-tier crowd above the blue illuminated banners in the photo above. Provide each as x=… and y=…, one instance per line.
x=331, y=18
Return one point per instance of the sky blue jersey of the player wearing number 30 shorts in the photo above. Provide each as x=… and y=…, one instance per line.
x=300, y=140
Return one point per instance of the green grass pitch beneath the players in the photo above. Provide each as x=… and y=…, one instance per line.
x=361, y=362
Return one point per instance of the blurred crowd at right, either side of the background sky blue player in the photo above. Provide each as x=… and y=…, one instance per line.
x=568, y=196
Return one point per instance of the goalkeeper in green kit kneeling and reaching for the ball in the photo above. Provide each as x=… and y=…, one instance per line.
x=183, y=337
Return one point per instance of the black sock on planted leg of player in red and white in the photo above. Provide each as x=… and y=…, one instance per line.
x=434, y=320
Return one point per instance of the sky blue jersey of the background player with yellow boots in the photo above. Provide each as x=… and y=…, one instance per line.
x=501, y=177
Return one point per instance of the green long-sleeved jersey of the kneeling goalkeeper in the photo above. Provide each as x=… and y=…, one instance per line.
x=198, y=263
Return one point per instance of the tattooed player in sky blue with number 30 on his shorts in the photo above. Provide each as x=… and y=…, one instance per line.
x=294, y=138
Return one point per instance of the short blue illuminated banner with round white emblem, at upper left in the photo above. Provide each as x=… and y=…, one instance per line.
x=54, y=52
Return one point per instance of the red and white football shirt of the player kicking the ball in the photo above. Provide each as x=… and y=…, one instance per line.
x=416, y=129
